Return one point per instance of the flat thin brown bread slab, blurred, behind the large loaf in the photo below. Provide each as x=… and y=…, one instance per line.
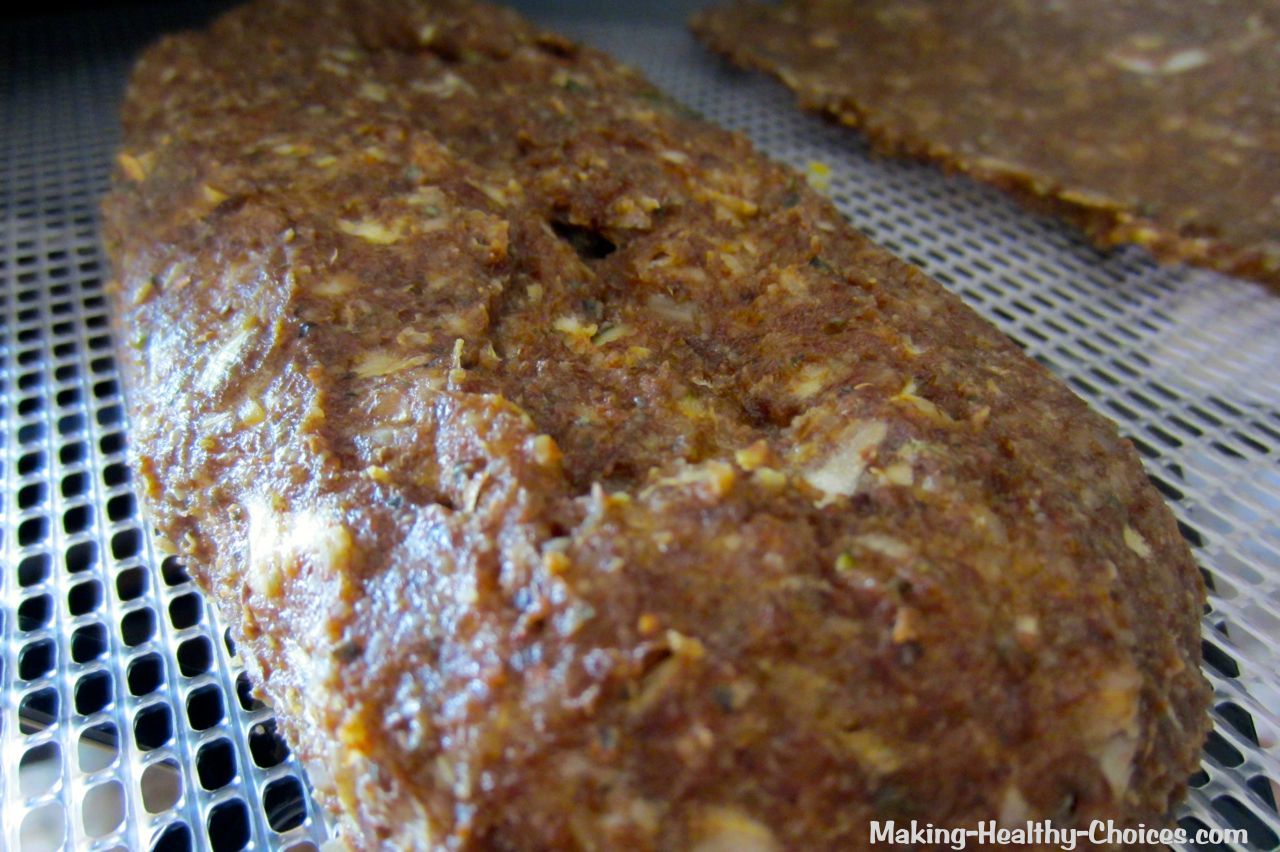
x=1146, y=122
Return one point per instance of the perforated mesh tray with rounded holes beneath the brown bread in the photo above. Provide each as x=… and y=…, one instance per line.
x=126, y=718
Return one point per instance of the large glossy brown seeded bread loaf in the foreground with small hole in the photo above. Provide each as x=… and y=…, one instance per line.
x=572, y=477
